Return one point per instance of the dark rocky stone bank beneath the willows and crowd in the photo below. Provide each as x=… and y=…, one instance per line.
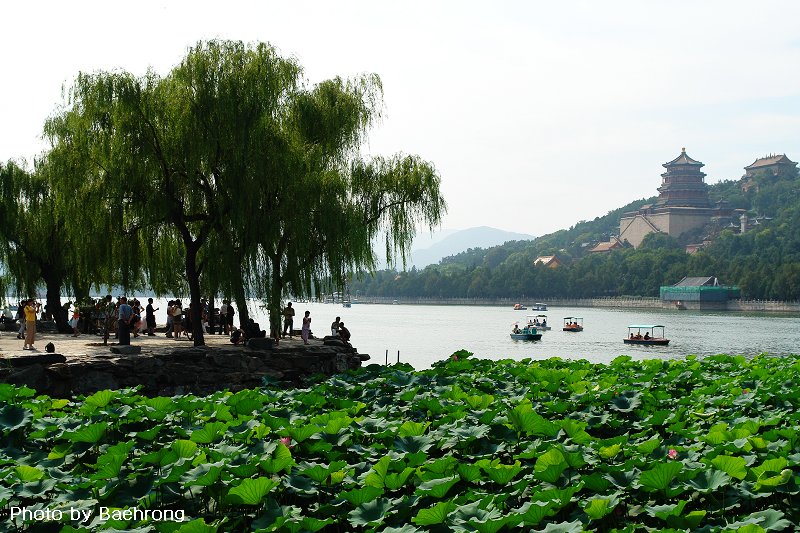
x=170, y=370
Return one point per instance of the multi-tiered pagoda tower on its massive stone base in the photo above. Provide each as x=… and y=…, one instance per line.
x=682, y=205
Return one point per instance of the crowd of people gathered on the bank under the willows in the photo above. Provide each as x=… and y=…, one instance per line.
x=126, y=318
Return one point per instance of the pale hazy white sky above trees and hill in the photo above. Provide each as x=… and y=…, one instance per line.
x=536, y=114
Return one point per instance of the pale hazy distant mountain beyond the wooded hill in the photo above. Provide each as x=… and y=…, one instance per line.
x=461, y=240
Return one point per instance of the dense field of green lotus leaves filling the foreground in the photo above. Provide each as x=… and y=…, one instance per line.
x=468, y=445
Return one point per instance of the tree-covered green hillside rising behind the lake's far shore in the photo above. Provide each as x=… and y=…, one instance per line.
x=764, y=261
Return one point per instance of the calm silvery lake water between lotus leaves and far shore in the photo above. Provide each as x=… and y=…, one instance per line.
x=427, y=333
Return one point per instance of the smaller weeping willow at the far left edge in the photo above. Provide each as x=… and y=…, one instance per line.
x=35, y=249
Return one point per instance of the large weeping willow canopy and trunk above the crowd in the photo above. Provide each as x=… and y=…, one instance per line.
x=233, y=174
